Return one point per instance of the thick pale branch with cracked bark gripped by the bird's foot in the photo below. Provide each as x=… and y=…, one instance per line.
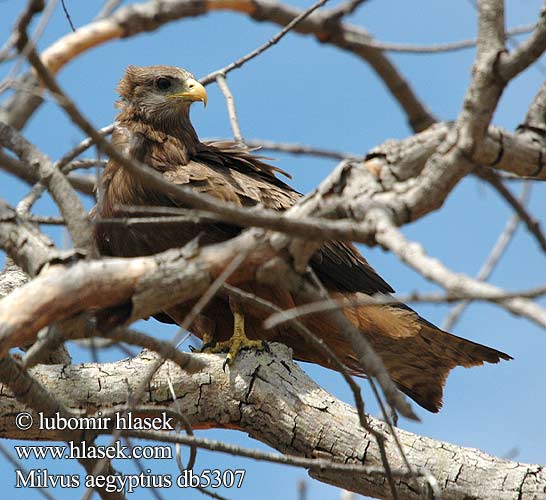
x=314, y=424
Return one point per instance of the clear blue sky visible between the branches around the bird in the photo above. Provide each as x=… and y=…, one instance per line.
x=286, y=95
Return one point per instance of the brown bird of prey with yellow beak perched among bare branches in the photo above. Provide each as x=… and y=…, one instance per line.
x=154, y=127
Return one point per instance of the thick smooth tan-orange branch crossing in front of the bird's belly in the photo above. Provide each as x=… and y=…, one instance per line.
x=63, y=292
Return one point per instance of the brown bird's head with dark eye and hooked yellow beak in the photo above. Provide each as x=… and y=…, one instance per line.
x=160, y=92
